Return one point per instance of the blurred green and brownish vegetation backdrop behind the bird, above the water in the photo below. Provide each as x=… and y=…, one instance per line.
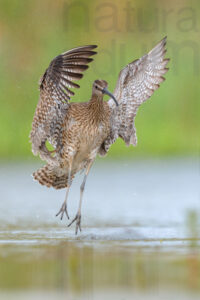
x=32, y=32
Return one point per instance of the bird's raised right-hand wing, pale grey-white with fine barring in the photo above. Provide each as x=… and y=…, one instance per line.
x=136, y=83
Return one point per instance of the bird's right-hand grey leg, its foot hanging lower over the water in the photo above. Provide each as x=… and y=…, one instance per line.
x=77, y=217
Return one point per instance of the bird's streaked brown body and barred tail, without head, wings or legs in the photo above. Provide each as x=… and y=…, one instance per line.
x=86, y=126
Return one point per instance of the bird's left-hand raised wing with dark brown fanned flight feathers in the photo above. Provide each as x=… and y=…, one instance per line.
x=55, y=92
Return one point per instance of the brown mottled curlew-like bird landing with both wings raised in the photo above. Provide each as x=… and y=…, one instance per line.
x=79, y=132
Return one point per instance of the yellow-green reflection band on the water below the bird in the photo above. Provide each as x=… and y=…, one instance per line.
x=83, y=270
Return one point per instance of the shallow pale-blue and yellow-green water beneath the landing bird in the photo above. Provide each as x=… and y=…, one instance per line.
x=140, y=237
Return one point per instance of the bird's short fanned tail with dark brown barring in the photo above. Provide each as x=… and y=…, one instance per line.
x=52, y=176
